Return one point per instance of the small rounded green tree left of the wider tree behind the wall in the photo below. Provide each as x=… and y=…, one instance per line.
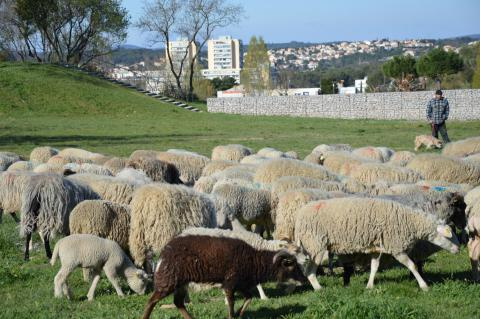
x=401, y=69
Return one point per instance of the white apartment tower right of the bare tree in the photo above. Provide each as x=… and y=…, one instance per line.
x=225, y=58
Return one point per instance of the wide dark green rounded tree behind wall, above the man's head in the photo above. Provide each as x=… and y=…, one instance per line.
x=438, y=63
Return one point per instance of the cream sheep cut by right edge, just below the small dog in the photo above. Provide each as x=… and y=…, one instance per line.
x=442, y=168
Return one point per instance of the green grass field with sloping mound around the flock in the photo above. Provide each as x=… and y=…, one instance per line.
x=49, y=105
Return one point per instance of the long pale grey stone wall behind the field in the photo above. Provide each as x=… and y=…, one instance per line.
x=464, y=105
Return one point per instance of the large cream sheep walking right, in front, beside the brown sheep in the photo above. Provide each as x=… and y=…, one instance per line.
x=349, y=226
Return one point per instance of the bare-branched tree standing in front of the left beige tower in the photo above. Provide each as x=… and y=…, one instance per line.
x=193, y=20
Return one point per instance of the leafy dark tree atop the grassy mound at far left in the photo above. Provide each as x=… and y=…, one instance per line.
x=70, y=31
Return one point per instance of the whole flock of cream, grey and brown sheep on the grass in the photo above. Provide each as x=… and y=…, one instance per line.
x=206, y=218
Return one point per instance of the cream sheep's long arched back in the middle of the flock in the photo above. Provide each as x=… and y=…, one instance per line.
x=272, y=170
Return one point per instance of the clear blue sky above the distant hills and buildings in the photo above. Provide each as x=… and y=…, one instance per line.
x=319, y=21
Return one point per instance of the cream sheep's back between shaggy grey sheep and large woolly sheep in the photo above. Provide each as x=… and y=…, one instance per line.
x=109, y=188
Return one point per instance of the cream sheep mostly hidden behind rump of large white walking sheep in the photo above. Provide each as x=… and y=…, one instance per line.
x=289, y=203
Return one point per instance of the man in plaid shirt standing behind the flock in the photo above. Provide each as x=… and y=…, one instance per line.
x=437, y=113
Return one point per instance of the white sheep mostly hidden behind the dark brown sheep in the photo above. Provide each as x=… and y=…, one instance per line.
x=254, y=240
